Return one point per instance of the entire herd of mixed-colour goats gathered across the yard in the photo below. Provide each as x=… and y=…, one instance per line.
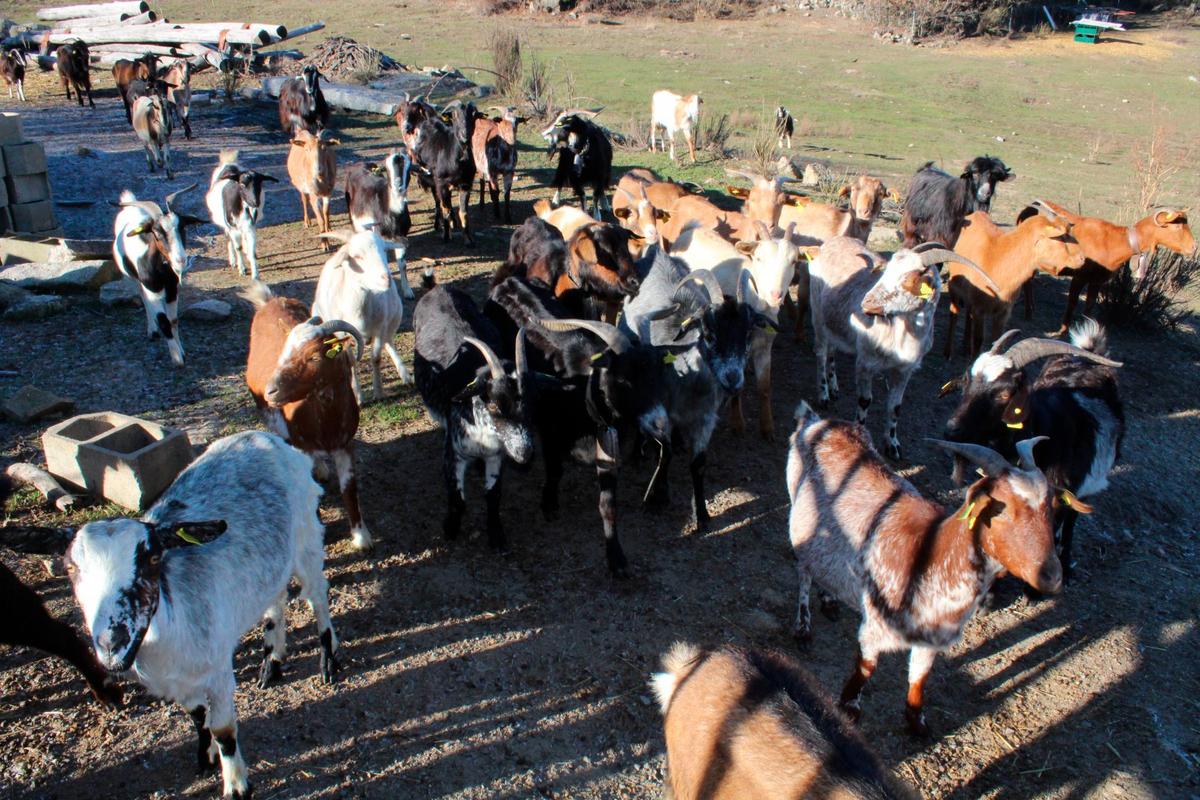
x=599, y=338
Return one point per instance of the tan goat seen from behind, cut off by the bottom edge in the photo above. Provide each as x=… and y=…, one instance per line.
x=748, y=724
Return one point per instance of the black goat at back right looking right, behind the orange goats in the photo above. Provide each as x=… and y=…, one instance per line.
x=938, y=203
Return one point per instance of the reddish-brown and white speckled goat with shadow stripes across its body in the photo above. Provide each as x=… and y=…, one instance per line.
x=917, y=574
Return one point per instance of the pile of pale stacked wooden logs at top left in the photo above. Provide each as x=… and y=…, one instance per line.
x=128, y=29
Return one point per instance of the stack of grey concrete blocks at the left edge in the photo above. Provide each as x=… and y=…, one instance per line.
x=26, y=203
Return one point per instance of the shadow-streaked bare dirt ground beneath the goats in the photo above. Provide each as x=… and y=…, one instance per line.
x=475, y=676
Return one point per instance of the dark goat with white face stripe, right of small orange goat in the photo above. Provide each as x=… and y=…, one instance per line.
x=377, y=196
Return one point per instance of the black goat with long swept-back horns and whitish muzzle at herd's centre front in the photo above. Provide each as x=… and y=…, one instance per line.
x=608, y=389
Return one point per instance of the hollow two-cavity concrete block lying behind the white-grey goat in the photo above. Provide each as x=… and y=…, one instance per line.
x=118, y=458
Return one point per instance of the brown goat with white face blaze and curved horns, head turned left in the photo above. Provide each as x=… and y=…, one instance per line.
x=301, y=377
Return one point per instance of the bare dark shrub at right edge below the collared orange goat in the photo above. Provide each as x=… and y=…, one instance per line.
x=1160, y=299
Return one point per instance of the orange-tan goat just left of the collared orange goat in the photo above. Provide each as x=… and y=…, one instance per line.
x=1010, y=258
